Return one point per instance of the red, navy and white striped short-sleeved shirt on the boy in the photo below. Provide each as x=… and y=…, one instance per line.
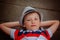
x=31, y=35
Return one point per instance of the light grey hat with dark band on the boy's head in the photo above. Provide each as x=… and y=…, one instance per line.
x=25, y=11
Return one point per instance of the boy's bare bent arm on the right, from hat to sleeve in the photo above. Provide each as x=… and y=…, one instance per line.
x=53, y=25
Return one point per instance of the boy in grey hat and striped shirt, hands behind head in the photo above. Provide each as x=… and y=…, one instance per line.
x=31, y=23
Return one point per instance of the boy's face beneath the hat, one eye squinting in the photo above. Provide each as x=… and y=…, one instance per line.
x=32, y=21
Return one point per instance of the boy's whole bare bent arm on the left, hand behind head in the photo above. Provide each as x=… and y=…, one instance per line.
x=6, y=27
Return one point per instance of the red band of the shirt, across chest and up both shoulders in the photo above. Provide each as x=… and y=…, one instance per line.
x=30, y=35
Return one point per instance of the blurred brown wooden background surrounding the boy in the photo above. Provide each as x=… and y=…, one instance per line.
x=10, y=10
